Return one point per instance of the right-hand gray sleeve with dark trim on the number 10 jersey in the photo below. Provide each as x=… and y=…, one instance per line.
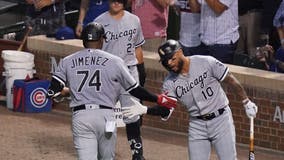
x=218, y=69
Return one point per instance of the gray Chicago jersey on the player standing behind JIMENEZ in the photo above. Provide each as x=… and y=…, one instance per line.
x=122, y=36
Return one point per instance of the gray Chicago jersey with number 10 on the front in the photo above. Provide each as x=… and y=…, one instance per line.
x=200, y=91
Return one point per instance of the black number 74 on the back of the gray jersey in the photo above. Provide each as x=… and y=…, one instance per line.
x=95, y=79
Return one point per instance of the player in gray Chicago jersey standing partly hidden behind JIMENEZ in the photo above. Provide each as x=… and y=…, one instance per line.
x=124, y=38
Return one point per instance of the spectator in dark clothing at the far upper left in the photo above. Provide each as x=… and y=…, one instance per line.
x=45, y=16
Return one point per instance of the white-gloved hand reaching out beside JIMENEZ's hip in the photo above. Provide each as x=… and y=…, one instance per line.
x=135, y=110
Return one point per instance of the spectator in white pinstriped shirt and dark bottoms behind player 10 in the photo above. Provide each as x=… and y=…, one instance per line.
x=219, y=27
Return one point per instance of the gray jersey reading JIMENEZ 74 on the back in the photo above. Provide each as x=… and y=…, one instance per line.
x=94, y=77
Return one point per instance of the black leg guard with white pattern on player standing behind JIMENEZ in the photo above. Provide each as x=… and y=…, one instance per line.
x=135, y=140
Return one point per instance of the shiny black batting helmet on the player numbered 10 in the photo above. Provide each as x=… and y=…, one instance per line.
x=167, y=50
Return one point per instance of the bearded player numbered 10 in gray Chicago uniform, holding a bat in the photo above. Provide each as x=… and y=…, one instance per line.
x=196, y=82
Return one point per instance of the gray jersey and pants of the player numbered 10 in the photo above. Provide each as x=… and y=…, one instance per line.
x=201, y=92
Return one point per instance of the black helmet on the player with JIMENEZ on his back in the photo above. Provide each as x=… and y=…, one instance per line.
x=93, y=32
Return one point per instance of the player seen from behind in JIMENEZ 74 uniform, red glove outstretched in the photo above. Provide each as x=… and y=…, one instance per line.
x=95, y=78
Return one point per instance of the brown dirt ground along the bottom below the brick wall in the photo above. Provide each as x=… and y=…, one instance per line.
x=47, y=136
